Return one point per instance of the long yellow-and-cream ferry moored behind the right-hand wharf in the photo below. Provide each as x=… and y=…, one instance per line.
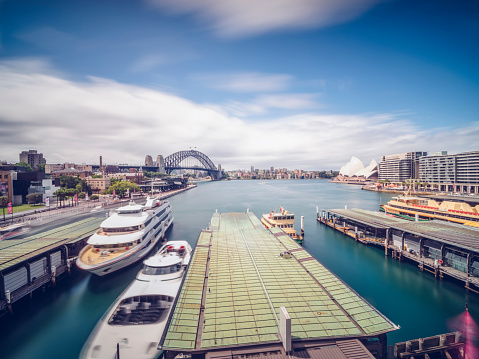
x=448, y=208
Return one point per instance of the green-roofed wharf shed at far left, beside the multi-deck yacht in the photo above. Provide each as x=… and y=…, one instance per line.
x=39, y=260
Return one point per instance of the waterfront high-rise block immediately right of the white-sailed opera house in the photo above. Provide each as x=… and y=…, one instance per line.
x=400, y=167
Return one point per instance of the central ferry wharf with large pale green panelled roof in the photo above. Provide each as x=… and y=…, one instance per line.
x=251, y=291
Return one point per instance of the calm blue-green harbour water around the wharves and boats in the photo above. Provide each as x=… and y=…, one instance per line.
x=57, y=323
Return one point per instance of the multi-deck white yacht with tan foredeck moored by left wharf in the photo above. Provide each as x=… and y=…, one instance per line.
x=126, y=236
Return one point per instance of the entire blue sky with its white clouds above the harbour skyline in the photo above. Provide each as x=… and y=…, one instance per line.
x=285, y=83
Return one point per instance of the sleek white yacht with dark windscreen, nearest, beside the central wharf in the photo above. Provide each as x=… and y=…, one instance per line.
x=133, y=326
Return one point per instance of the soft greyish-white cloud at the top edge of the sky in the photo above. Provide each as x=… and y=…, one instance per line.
x=239, y=18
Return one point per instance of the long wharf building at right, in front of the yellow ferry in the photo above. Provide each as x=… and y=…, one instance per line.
x=442, y=248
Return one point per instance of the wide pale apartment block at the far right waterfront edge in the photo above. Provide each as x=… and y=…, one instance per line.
x=451, y=173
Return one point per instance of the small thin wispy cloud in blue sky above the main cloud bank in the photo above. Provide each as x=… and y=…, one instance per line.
x=246, y=82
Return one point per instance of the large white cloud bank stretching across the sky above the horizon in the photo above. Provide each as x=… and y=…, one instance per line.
x=79, y=121
